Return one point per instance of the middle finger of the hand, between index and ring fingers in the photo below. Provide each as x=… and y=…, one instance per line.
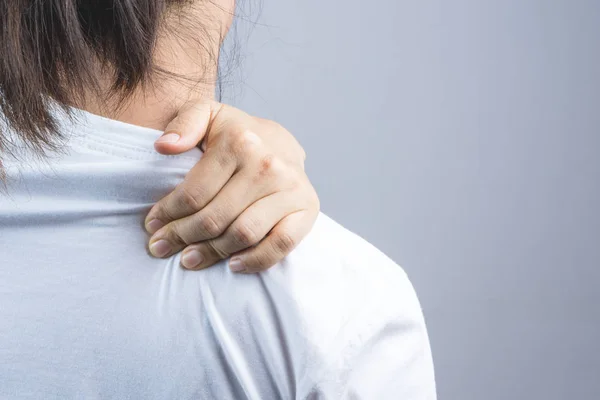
x=220, y=213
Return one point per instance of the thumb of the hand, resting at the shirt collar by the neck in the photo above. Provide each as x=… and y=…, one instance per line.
x=188, y=128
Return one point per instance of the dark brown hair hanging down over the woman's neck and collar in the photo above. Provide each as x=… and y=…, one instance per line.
x=51, y=52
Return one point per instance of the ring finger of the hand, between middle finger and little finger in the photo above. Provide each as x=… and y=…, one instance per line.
x=247, y=230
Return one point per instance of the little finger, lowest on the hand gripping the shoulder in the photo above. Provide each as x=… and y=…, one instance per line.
x=284, y=237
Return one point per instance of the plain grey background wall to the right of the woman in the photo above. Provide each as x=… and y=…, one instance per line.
x=461, y=138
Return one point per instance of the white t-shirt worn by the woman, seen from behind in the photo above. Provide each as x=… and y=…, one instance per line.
x=87, y=313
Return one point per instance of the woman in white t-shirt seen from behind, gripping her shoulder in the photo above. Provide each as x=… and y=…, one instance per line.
x=88, y=313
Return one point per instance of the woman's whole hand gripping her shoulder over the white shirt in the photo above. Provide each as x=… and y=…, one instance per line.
x=248, y=196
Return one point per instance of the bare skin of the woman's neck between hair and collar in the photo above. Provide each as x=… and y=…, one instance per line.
x=191, y=54
